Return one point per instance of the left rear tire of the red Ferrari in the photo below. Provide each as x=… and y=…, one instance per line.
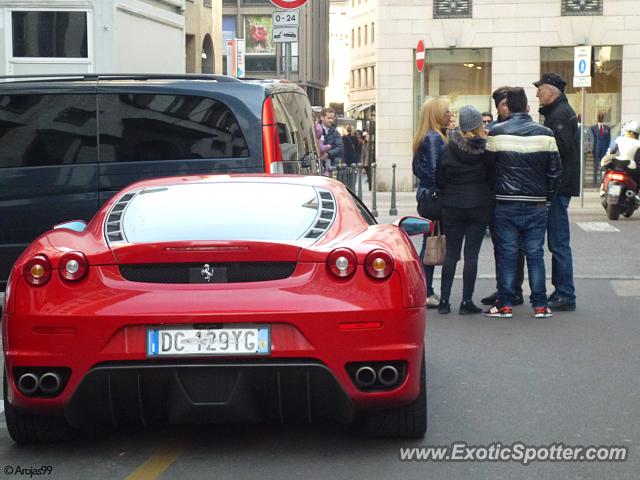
x=27, y=428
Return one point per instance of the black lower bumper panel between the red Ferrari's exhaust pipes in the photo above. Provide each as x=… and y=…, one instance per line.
x=204, y=392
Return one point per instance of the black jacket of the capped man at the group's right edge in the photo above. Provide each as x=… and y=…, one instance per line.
x=562, y=120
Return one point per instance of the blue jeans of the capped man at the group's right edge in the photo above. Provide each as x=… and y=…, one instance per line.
x=559, y=240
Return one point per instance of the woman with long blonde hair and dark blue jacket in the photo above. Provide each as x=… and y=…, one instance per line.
x=428, y=143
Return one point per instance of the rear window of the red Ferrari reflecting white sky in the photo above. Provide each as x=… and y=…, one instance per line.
x=224, y=211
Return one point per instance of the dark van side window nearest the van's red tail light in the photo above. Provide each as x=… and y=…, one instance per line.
x=139, y=127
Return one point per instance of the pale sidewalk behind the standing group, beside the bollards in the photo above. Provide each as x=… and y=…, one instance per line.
x=406, y=204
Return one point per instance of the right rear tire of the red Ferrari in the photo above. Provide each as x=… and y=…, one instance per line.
x=404, y=422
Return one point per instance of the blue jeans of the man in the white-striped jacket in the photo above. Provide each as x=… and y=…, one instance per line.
x=521, y=224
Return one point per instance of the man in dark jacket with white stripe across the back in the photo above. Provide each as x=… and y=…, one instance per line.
x=527, y=168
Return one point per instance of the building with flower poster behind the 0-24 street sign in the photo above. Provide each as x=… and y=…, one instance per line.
x=264, y=58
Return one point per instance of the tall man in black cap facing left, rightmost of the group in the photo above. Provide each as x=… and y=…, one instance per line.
x=562, y=120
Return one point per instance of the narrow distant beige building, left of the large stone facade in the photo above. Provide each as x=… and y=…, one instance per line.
x=362, y=64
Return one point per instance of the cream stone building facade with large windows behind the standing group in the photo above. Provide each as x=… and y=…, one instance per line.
x=475, y=46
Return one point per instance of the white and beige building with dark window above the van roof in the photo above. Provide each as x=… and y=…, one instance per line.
x=84, y=36
